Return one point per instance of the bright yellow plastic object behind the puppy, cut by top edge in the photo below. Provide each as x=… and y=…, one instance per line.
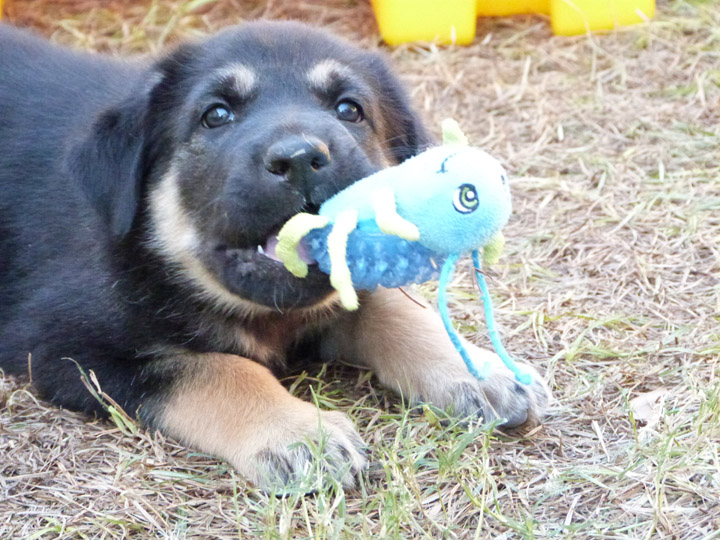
x=453, y=21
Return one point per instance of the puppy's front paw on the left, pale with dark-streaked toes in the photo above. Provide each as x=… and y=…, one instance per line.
x=303, y=451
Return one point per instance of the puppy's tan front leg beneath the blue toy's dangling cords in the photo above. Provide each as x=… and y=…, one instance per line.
x=407, y=347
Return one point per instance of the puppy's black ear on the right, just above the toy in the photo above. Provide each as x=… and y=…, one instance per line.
x=405, y=134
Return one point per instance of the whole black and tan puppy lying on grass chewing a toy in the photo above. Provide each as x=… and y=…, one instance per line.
x=135, y=202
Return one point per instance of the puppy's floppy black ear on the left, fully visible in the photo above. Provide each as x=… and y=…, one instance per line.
x=107, y=163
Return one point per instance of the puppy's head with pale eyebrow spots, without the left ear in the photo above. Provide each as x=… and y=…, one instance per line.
x=245, y=130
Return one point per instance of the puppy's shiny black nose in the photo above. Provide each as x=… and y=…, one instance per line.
x=298, y=158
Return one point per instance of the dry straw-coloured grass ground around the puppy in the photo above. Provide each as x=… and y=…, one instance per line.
x=610, y=283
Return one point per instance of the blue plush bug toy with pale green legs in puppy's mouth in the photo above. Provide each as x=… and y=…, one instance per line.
x=409, y=224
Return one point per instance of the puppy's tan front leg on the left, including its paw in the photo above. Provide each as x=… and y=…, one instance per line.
x=236, y=409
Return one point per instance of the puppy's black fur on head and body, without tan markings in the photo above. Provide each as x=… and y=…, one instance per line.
x=84, y=140
